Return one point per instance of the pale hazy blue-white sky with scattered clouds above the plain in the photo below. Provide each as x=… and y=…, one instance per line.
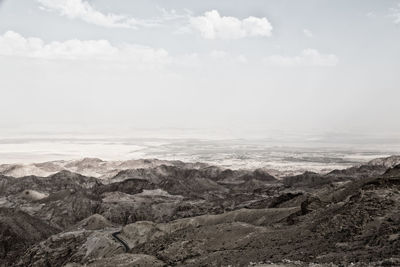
x=257, y=68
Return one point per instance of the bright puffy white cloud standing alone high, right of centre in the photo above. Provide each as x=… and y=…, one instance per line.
x=213, y=26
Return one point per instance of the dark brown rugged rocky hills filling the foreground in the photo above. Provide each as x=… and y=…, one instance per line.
x=168, y=213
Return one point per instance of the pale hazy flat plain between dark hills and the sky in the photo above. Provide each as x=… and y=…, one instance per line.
x=285, y=159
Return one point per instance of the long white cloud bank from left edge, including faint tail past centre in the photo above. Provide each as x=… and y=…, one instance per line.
x=102, y=53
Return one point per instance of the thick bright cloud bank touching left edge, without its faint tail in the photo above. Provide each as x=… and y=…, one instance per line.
x=14, y=44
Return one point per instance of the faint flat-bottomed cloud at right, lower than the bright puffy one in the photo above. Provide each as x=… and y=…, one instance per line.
x=308, y=58
